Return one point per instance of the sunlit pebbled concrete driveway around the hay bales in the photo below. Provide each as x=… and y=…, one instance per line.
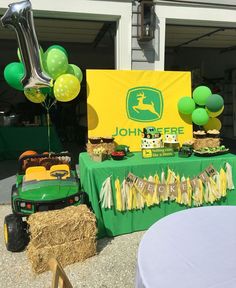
x=114, y=265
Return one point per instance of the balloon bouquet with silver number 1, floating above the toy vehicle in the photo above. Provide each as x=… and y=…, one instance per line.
x=45, y=77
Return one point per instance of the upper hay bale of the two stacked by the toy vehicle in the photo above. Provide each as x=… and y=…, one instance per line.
x=61, y=226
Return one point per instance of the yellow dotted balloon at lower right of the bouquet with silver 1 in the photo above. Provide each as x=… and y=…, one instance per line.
x=66, y=87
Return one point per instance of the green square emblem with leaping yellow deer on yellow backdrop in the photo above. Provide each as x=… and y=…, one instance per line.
x=144, y=104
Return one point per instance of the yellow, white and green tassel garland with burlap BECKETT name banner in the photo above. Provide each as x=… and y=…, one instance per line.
x=137, y=193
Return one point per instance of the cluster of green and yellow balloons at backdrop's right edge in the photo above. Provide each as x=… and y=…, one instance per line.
x=204, y=107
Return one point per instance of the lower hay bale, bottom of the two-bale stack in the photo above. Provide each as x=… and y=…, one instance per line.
x=67, y=253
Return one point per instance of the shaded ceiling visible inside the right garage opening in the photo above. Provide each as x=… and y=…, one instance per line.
x=196, y=36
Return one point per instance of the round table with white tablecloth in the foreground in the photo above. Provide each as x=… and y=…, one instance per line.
x=192, y=248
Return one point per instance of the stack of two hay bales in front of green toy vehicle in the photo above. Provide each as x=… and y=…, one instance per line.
x=68, y=234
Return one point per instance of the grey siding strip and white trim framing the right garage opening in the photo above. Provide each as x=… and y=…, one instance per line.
x=151, y=55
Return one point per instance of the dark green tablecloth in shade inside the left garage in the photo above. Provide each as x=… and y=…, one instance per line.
x=15, y=140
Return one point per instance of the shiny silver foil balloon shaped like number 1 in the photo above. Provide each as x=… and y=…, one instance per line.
x=19, y=16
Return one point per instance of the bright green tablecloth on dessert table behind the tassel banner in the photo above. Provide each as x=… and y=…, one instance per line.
x=112, y=222
